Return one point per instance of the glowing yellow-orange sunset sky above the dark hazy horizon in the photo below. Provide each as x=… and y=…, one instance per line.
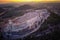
x=14, y=1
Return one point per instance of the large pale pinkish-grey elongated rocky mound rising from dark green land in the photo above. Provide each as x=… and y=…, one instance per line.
x=26, y=24
